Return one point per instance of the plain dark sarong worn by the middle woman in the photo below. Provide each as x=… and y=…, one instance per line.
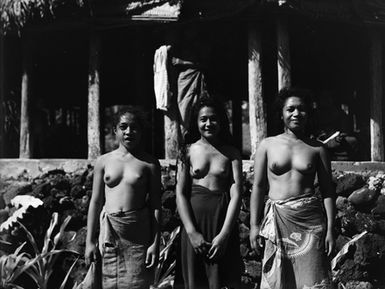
x=209, y=209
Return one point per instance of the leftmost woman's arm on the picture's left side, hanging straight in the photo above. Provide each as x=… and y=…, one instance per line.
x=96, y=203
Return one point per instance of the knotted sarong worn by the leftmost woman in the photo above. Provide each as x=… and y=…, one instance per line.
x=123, y=242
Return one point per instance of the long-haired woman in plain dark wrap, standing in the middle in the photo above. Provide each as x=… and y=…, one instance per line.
x=208, y=199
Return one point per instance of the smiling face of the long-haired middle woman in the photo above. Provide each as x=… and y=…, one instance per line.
x=208, y=123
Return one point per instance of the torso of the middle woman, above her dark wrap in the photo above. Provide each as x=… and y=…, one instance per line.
x=210, y=167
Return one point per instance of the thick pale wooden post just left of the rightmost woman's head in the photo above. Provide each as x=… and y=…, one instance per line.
x=257, y=107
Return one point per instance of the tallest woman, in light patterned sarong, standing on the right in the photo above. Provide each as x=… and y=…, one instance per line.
x=297, y=228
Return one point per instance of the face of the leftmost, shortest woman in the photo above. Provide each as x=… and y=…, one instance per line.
x=128, y=131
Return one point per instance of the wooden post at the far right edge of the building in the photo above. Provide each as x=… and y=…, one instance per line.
x=376, y=135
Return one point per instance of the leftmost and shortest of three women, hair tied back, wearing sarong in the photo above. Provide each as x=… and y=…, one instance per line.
x=126, y=198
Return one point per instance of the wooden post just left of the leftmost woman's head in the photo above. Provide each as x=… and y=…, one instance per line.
x=93, y=125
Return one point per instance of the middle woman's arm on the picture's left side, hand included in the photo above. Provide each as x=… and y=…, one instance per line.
x=184, y=208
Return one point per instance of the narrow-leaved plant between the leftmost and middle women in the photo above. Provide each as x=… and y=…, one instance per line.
x=164, y=271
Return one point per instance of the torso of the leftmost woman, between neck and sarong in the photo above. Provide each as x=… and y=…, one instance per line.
x=126, y=178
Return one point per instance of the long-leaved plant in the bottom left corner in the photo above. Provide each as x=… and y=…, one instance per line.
x=40, y=265
